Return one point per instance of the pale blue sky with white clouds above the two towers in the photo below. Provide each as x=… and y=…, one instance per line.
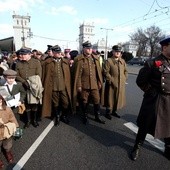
x=60, y=19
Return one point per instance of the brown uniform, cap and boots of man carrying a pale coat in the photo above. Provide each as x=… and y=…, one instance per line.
x=26, y=69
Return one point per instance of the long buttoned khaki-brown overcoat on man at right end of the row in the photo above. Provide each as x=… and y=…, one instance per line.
x=115, y=74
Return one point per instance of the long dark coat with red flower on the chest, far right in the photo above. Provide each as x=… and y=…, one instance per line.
x=154, y=114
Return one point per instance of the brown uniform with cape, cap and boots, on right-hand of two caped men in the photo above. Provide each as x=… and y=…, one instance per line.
x=88, y=77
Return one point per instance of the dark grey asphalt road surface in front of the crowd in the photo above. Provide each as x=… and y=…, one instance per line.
x=88, y=147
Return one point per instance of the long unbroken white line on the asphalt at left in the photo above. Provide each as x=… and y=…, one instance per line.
x=33, y=147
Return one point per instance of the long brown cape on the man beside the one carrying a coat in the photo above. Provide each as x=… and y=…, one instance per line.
x=48, y=67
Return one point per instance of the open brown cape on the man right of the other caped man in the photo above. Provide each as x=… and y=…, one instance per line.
x=78, y=64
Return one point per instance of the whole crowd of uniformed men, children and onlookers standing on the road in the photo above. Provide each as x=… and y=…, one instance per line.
x=57, y=84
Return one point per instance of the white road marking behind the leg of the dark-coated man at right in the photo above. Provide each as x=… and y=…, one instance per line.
x=155, y=142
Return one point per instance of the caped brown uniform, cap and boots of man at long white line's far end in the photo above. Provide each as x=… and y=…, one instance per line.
x=56, y=80
